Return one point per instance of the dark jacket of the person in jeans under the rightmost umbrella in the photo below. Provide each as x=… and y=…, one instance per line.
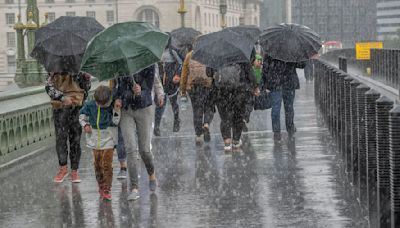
x=279, y=75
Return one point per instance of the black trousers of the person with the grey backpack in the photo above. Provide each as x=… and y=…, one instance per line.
x=231, y=106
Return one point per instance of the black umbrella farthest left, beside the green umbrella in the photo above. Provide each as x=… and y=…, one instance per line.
x=60, y=45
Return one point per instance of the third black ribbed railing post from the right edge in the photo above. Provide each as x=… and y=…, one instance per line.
x=370, y=130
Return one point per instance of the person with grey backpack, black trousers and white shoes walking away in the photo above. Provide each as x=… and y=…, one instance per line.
x=234, y=84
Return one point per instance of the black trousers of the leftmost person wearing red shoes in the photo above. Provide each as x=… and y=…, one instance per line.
x=68, y=130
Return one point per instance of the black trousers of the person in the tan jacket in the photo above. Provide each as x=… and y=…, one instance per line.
x=203, y=112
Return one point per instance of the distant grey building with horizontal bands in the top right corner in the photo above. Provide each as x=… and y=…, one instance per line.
x=388, y=20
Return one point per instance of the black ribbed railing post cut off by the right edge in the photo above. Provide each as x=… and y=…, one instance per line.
x=394, y=139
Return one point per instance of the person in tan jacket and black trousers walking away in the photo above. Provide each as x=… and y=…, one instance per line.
x=195, y=81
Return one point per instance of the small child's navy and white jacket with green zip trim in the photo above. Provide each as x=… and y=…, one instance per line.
x=104, y=122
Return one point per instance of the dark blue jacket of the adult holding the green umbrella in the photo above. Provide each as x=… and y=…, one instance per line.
x=123, y=89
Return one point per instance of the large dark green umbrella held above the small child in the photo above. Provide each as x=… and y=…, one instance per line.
x=123, y=49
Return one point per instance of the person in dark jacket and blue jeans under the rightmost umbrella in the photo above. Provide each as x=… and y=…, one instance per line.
x=282, y=80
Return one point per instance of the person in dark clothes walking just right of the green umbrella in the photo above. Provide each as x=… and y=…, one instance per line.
x=170, y=70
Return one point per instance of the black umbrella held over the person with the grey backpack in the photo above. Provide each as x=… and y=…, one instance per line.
x=223, y=47
